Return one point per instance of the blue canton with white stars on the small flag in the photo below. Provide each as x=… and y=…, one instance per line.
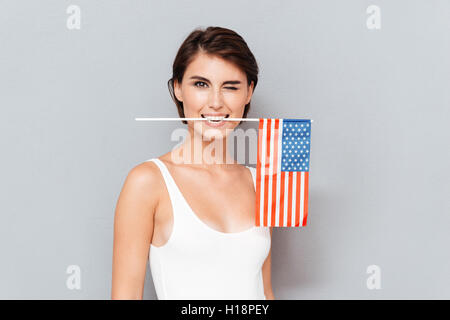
x=295, y=145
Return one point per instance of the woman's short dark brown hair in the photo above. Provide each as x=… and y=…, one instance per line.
x=222, y=42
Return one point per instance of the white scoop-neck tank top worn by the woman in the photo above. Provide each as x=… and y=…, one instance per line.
x=199, y=262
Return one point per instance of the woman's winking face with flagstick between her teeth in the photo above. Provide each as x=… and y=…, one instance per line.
x=213, y=86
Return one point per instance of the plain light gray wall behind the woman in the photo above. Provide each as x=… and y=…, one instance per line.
x=379, y=179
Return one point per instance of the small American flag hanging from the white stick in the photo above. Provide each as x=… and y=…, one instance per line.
x=282, y=171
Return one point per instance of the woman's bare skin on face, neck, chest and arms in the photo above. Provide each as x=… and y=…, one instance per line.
x=143, y=212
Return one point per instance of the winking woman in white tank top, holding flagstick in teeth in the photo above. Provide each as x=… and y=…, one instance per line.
x=195, y=220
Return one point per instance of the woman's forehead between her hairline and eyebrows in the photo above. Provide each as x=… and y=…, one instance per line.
x=213, y=68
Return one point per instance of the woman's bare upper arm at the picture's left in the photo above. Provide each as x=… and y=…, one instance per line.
x=133, y=231
